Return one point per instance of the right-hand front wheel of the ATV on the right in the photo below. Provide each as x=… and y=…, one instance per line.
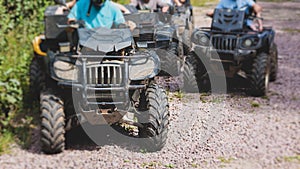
x=259, y=77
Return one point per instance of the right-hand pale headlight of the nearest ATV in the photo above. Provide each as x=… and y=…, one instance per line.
x=144, y=68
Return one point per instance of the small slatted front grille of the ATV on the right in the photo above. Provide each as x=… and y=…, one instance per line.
x=224, y=42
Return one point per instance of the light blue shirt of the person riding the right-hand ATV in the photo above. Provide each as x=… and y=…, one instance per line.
x=243, y=5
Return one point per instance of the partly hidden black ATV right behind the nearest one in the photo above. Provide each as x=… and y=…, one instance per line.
x=158, y=31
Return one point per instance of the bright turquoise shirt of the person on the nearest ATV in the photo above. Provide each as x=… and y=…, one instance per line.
x=104, y=16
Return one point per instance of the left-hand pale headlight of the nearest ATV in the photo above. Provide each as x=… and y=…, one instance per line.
x=65, y=70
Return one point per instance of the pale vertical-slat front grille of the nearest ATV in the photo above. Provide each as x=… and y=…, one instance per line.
x=105, y=75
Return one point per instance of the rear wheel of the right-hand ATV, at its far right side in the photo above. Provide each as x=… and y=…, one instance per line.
x=274, y=63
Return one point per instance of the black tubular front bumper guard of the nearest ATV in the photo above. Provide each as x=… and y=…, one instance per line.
x=108, y=86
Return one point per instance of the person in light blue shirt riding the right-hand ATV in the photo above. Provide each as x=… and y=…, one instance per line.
x=244, y=5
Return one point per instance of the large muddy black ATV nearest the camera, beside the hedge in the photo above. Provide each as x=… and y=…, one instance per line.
x=96, y=76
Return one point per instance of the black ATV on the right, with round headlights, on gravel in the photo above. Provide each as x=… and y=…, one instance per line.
x=230, y=46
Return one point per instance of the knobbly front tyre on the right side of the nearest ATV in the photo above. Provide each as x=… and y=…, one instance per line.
x=155, y=128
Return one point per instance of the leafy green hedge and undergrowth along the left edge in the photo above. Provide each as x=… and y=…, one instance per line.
x=20, y=22
